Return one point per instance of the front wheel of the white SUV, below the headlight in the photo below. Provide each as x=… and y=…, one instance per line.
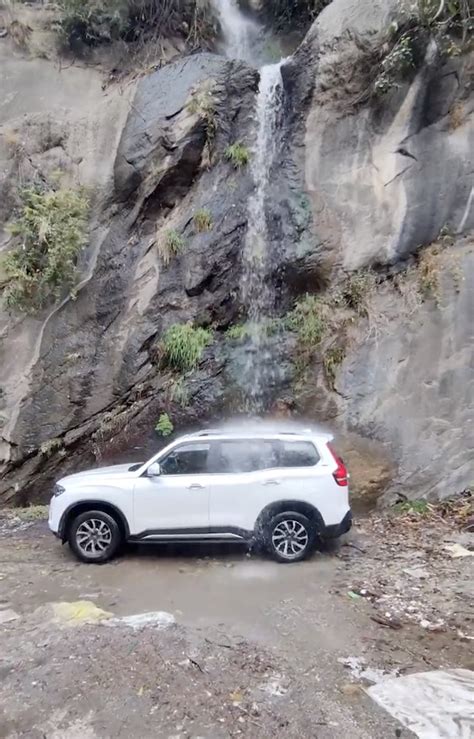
x=94, y=537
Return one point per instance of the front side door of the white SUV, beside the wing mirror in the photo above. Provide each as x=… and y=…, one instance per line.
x=177, y=500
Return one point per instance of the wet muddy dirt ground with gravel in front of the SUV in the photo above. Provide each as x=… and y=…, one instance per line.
x=251, y=648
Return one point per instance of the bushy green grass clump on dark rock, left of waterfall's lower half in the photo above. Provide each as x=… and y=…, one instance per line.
x=183, y=345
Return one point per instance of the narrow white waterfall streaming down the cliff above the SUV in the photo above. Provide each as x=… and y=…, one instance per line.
x=241, y=41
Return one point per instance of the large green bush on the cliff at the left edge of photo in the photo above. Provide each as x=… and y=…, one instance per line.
x=51, y=230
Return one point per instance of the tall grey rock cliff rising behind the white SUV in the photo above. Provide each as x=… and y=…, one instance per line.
x=359, y=190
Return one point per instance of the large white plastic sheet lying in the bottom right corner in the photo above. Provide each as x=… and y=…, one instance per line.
x=431, y=704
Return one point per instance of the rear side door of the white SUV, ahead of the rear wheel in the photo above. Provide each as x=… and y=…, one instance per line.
x=245, y=478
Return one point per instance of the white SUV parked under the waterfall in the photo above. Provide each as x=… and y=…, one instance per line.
x=285, y=490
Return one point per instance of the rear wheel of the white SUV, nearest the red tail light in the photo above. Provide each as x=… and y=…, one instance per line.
x=292, y=532
